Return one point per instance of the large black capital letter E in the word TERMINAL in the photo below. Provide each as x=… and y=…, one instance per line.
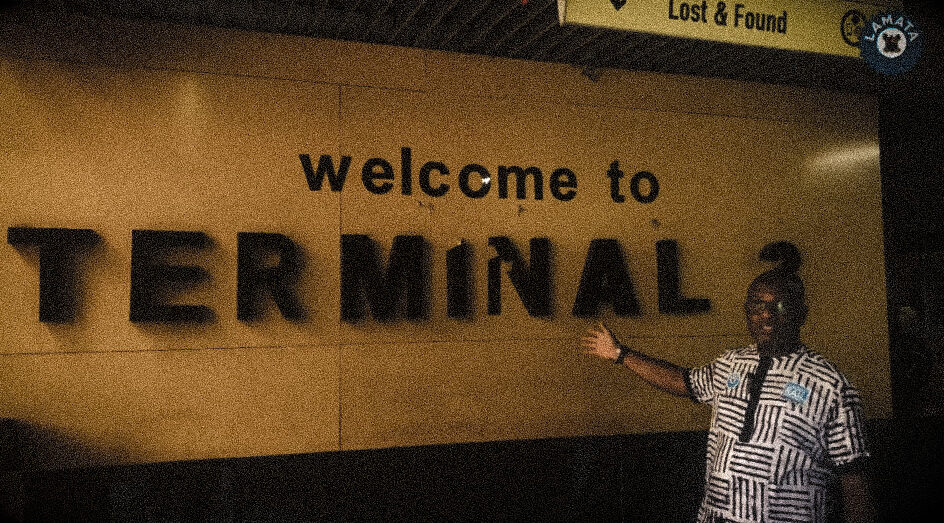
x=153, y=280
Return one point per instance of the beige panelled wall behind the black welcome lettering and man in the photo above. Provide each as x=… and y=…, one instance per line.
x=113, y=126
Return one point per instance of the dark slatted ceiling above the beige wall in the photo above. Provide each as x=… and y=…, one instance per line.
x=523, y=29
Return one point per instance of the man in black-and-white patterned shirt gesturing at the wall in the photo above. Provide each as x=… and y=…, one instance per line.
x=785, y=422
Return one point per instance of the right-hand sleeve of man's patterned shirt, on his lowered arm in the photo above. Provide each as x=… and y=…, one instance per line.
x=845, y=433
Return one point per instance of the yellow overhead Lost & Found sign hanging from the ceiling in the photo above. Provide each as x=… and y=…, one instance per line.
x=828, y=27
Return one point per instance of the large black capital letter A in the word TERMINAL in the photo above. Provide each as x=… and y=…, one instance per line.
x=605, y=280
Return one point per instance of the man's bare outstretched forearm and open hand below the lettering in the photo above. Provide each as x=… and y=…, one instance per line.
x=664, y=375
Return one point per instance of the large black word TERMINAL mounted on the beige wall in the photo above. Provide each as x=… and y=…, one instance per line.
x=371, y=287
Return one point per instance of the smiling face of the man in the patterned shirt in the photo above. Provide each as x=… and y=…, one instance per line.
x=773, y=318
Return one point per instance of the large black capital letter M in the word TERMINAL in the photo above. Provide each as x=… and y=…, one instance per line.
x=363, y=279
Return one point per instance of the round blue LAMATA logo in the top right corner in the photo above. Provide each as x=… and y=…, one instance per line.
x=891, y=43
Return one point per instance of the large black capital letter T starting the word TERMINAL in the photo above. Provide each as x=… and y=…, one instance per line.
x=59, y=250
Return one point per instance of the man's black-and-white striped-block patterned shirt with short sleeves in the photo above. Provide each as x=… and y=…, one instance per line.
x=781, y=430
